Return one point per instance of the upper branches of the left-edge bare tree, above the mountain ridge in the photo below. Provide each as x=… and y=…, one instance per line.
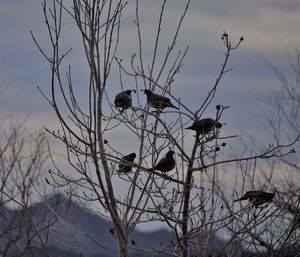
x=23, y=155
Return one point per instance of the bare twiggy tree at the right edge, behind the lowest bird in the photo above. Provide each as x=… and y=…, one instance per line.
x=273, y=228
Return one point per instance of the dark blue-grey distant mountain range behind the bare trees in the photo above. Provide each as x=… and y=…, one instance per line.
x=68, y=229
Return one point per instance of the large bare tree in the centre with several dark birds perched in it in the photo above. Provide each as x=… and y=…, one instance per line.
x=187, y=196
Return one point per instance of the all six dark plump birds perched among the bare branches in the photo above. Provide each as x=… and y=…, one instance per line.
x=123, y=101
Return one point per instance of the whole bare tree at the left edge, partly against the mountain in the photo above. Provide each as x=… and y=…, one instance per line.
x=22, y=158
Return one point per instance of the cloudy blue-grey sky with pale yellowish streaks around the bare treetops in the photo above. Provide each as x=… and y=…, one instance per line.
x=270, y=29
